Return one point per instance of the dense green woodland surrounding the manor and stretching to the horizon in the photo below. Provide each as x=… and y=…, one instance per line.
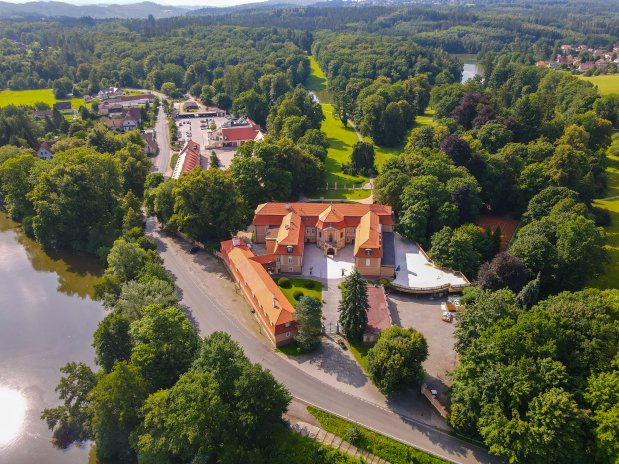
x=538, y=378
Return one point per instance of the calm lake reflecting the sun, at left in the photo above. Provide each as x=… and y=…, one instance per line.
x=47, y=317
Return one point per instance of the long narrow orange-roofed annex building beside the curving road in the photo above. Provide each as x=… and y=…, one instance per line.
x=273, y=311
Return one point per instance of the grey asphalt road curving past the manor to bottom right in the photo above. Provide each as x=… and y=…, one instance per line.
x=211, y=312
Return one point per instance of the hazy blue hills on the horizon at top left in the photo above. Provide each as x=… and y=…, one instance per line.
x=36, y=10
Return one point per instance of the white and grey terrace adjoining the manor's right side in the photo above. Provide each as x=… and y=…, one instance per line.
x=415, y=269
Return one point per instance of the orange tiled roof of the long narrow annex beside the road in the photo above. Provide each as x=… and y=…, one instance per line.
x=261, y=286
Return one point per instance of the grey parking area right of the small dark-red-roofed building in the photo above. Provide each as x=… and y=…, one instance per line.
x=424, y=314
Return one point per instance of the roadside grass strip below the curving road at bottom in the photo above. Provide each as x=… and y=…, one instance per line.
x=377, y=444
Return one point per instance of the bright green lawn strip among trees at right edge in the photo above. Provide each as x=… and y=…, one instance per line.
x=610, y=279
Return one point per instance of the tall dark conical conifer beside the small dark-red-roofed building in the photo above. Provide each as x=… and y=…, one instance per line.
x=354, y=307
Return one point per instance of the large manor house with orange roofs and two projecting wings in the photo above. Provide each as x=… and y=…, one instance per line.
x=286, y=228
